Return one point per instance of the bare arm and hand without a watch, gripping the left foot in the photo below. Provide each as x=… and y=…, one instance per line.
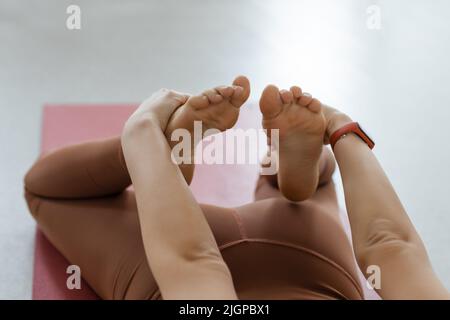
x=178, y=242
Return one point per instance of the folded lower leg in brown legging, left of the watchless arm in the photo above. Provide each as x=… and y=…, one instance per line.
x=87, y=170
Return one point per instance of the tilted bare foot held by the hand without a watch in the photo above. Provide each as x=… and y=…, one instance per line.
x=216, y=108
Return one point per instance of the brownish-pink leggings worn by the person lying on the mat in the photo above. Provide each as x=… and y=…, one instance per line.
x=275, y=249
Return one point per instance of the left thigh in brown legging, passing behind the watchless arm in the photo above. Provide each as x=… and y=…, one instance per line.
x=103, y=237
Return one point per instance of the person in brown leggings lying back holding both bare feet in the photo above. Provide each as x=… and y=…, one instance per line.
x=157, y=242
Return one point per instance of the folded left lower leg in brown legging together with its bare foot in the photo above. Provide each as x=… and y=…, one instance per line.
x=97, y=168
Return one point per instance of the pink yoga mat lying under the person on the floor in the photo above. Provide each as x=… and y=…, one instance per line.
x=222, y=185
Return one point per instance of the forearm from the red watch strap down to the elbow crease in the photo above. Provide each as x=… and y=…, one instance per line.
x=373, y=206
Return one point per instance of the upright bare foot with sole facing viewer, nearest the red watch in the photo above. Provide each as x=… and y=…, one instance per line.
x=302, y=126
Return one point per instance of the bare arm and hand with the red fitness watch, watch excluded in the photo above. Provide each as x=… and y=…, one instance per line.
x=383, y=235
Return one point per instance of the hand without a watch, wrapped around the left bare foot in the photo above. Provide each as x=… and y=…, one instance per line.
x=158, y=108
